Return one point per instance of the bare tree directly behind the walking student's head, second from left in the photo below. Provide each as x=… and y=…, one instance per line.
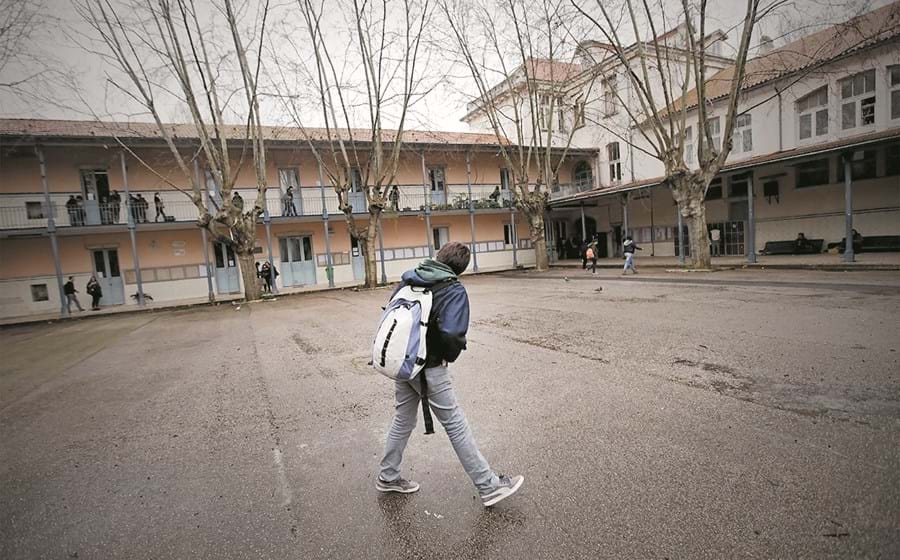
x=375, y=69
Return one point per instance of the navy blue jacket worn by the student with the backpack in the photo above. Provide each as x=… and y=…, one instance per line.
x=449, y=320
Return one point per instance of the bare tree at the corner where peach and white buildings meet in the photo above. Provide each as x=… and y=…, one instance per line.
x=527, y=107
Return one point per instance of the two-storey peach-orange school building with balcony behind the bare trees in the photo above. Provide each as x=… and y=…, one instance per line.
x=448, y=185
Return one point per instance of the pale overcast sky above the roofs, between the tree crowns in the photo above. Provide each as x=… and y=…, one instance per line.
x=442, y=109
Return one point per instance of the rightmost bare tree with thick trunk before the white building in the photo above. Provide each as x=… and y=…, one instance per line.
x=660, y=72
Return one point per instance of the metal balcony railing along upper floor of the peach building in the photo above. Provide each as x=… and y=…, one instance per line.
x=305, y=202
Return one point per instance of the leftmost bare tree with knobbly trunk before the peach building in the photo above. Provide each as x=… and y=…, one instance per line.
x=163, y=54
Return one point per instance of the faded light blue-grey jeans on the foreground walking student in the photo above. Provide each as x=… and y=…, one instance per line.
x=443, y=403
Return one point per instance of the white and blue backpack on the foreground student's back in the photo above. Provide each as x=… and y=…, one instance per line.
x=399, y=349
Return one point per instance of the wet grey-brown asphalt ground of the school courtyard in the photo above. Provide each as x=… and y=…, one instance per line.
x=740, y=414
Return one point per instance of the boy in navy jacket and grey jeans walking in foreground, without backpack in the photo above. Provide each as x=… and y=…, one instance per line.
x=445, y=340
